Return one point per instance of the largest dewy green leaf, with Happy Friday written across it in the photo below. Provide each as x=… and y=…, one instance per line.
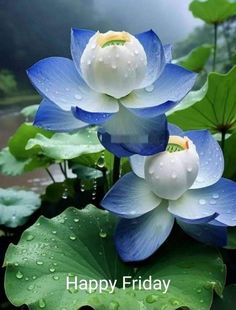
x=80, y=243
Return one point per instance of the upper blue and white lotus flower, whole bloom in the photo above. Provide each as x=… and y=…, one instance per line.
x=120, y=82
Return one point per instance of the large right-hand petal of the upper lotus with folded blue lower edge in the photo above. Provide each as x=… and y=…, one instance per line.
x=170, y=88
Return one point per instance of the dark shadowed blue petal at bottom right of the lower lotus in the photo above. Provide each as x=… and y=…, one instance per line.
x=206, y=233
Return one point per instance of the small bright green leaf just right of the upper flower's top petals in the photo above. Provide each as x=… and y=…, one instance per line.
x=196, y=59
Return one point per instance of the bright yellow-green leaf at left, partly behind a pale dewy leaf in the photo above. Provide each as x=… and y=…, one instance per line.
x=18, y=141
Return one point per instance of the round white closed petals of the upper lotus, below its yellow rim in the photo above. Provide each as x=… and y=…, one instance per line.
x=114, y=70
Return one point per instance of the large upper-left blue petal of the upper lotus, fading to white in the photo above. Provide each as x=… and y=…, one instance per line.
x=57, y=79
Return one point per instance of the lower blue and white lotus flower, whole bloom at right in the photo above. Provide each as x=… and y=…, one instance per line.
x=182, y=183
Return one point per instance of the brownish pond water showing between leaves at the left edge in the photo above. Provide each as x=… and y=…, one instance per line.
x=10, y=120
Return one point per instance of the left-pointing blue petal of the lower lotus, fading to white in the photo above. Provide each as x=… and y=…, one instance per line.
x=130, y=197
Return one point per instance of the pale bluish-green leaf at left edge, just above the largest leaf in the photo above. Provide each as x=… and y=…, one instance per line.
x=16, y=206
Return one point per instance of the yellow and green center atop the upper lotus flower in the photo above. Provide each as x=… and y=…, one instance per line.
x=112, y=38
